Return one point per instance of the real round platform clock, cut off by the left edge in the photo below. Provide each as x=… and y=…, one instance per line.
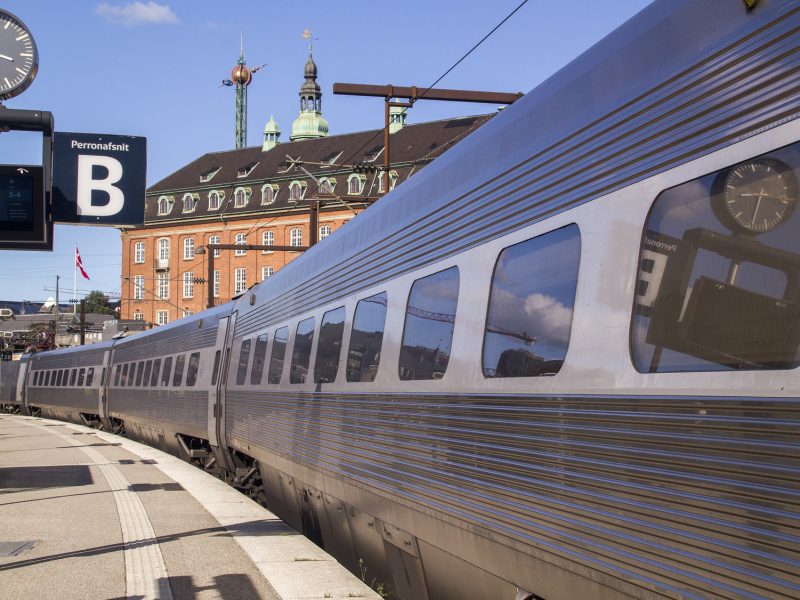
x=19, y=59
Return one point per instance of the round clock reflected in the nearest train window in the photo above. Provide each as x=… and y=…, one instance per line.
x=756, y=196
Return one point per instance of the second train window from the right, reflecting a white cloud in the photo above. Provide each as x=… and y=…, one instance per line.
x=531, y=302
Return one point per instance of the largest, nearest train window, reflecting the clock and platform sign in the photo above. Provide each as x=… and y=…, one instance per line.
x=719, y=271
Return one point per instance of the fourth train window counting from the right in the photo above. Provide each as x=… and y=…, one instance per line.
x=366, y=338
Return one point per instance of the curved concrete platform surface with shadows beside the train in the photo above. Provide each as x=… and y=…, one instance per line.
x=87, y=514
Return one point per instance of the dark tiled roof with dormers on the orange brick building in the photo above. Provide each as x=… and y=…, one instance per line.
x=411, y=147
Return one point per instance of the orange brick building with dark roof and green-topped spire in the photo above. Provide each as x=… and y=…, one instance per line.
x=261, y=195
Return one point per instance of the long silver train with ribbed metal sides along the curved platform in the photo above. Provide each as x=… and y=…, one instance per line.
x=558, y=363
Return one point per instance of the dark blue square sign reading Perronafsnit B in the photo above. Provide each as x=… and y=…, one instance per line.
x=99, y=179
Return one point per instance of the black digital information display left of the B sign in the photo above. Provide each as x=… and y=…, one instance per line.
x=23, y=209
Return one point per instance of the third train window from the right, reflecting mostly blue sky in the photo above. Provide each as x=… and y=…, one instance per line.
x=428, y=330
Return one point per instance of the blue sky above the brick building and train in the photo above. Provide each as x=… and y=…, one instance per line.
x=154, y=68
